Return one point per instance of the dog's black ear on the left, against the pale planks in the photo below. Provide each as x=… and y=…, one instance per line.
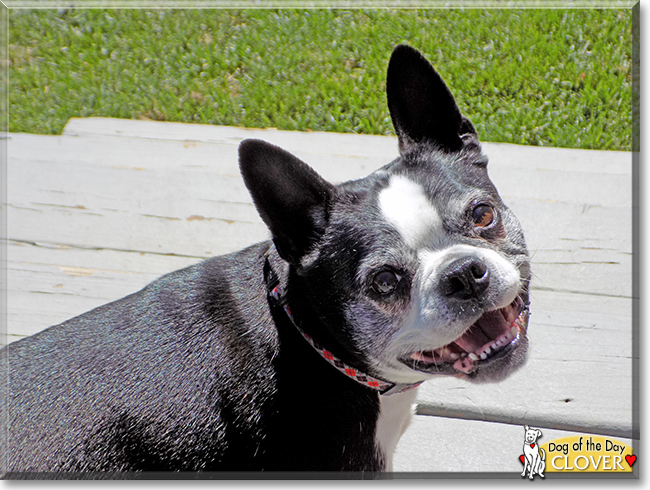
x=292, y=199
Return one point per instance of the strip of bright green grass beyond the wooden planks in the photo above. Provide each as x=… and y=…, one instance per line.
x=537, y=77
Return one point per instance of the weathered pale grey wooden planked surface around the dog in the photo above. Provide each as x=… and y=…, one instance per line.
x=110, y=205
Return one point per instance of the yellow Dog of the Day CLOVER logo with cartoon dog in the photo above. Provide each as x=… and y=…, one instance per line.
x=575, y=454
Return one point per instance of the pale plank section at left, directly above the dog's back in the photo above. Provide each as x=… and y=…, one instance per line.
x=50, y=284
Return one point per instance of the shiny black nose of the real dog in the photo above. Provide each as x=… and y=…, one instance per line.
x=465, y=278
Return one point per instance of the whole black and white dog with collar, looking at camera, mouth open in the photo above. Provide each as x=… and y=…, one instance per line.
x=300, y=353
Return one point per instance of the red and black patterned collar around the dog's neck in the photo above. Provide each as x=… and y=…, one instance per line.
x=383, y=387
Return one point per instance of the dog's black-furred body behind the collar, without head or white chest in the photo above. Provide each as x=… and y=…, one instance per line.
x=171, y=378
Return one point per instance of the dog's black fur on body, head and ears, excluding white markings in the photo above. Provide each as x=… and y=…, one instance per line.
x=199, y=371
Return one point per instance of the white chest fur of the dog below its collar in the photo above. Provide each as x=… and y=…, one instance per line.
x=395, y=412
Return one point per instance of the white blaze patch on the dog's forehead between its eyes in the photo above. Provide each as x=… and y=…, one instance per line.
x=407, y=208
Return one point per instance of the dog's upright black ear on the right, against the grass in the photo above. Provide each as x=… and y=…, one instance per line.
x=421, y=106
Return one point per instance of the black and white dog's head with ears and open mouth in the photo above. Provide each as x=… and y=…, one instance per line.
x=418, y=269
